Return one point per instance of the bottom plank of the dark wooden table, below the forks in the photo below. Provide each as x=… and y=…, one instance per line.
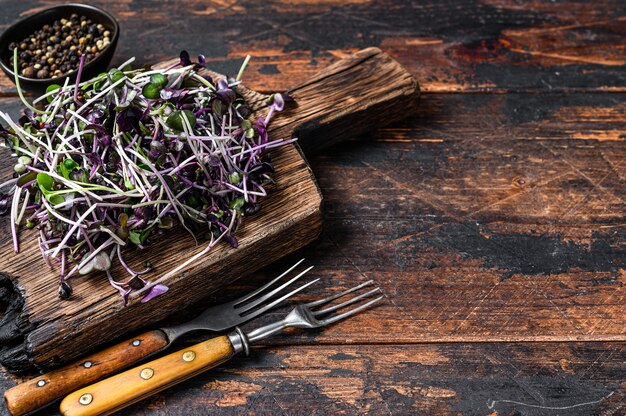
x=438, y=379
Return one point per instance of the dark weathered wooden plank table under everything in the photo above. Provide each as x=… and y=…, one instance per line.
x=494, y=220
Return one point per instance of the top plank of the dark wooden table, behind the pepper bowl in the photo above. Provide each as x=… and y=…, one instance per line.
x=448, y=46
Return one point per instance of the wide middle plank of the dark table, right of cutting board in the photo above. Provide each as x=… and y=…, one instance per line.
x=483, y=219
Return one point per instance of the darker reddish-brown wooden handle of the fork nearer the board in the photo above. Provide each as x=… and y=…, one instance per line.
x=40, y=391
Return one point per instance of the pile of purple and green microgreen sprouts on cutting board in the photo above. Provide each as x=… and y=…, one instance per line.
x=107, y=164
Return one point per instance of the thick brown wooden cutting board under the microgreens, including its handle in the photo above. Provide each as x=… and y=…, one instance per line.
x=351, y=97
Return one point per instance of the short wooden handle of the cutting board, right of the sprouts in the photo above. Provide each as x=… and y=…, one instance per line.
x=351, y=97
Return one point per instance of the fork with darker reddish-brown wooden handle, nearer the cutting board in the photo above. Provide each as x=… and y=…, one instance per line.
x=43, y=390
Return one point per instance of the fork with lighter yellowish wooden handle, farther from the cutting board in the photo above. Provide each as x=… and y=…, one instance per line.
x=131, y=386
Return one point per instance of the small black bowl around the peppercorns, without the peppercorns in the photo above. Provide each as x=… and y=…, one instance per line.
x=20, y=30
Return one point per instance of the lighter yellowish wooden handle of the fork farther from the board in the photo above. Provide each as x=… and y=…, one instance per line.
x=131, y=386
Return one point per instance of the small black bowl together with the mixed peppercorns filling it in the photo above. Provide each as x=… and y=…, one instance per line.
x=50, y=45
